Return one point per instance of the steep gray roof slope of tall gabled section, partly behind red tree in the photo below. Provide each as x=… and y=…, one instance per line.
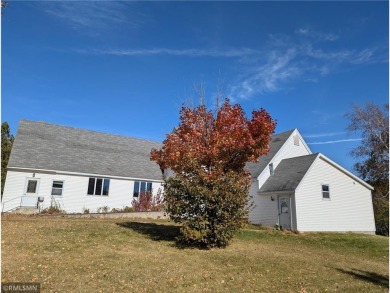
x=276, y=143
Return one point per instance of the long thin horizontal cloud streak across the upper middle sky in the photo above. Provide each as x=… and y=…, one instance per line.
x=173, y=52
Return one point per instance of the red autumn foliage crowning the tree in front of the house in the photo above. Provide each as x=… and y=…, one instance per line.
x=217, y=144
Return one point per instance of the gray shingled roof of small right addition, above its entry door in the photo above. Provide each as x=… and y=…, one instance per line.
x=288, y=174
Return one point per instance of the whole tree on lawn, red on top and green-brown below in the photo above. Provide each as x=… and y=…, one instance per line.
x=209, y=190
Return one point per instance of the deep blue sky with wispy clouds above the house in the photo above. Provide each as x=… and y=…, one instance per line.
x=127, y=67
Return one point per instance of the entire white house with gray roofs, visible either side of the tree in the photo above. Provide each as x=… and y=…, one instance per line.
x=80, y=169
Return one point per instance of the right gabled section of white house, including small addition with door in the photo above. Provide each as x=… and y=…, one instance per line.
x=296, y=189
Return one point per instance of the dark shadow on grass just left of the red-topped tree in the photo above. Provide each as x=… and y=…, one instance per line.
x=154, y=231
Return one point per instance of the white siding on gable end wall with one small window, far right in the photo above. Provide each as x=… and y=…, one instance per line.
x=350, y=207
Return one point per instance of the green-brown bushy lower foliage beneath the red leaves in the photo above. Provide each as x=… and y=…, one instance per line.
x=211, y=210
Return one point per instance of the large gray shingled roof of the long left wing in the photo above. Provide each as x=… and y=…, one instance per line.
x=40, y=145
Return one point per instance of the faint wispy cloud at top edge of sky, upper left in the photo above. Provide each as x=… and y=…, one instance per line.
x=93, y=16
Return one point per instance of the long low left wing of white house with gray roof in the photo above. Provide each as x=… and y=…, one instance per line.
x=77, y=169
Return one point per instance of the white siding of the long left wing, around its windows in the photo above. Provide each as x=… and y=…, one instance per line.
x=74, y=197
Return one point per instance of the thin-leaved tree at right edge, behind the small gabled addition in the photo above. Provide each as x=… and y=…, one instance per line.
x=373, y=154
